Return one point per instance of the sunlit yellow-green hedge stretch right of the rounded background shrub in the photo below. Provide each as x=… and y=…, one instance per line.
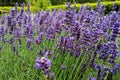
x=108, y=6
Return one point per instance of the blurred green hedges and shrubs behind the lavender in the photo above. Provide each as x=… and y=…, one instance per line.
x=36, y=5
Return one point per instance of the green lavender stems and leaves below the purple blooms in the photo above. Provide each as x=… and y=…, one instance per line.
x=21, y=67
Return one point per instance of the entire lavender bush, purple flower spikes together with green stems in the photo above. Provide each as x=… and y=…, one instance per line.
x=69, y=45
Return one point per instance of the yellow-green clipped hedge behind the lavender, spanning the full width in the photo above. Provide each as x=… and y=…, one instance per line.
x=34, y=9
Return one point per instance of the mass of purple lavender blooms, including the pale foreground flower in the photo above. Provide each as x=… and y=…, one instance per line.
x=90, y=36
